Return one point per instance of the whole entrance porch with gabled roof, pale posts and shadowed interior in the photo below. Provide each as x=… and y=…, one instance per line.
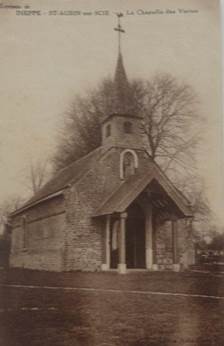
x=136, y=219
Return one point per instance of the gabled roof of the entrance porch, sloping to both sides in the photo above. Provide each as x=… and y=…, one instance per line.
x=130, y=189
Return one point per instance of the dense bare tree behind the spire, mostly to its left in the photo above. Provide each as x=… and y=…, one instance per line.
x=81, y=128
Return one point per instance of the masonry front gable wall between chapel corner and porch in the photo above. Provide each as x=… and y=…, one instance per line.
x=85, y=235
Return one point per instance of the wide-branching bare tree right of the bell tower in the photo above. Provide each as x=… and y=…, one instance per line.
x=171, y=122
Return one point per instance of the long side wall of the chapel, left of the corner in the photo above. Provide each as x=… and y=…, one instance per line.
x=38, y=244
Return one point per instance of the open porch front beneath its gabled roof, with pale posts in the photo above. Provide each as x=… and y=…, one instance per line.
x=132, y=241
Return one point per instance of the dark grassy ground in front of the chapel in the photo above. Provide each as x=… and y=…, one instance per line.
x=106, y=318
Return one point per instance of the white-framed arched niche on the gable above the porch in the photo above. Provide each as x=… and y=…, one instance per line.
x=128, y=163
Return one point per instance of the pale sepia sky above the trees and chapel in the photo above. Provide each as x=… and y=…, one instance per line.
x=49, y=57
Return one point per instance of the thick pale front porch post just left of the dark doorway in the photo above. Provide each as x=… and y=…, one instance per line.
x=122, y=244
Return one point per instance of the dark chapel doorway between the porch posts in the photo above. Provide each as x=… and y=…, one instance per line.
x=135, y=238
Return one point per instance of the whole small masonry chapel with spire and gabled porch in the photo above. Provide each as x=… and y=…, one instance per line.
x=113, y=209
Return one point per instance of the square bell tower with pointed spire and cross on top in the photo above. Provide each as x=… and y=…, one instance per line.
x=122, y=129
